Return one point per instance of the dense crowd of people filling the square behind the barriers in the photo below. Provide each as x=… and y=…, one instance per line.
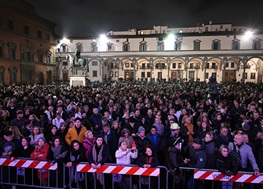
x=174, y=124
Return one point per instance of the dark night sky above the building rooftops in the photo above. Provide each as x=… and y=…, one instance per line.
x=86, y=17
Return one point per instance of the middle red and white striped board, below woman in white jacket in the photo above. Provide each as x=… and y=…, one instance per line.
x=155, y=172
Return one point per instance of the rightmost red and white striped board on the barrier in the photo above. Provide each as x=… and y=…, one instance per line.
x=219, y=176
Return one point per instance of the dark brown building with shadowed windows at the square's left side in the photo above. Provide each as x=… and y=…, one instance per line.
x=27, y=48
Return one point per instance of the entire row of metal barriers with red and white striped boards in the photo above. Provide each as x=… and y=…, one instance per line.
x=28, y=173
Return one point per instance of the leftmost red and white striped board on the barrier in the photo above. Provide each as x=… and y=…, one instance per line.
x=33, y=164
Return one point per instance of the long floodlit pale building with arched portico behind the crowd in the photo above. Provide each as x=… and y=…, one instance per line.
x=162, y=53
